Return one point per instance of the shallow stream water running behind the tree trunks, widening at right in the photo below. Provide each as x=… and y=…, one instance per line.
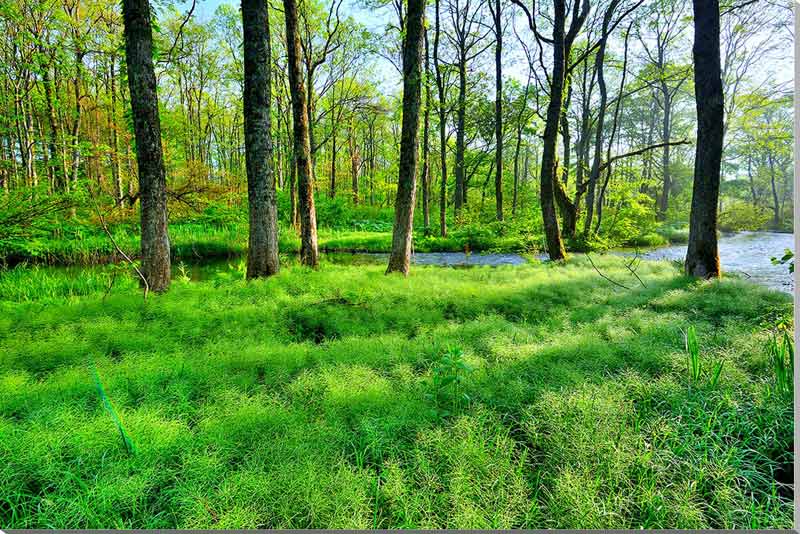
x=747, y=253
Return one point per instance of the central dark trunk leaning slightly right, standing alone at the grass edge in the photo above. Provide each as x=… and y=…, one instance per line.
x=400, y=258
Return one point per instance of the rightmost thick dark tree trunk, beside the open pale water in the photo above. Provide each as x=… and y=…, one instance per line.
x=702, y=256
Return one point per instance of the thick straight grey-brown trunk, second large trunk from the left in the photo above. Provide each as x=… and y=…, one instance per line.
x=262, y=248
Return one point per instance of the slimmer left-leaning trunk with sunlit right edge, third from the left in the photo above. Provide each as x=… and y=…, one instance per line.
x=309, y=253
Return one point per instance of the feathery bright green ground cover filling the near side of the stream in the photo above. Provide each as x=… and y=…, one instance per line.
x=536, y=396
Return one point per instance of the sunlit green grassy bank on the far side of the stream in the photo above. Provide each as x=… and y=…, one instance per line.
x=73, y=243
